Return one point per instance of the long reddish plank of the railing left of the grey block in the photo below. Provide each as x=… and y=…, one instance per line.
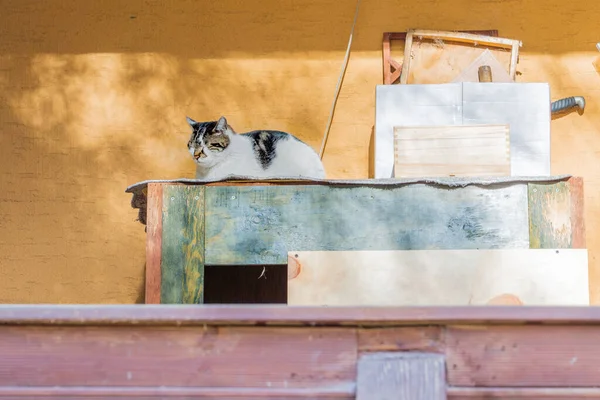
x=244, y=357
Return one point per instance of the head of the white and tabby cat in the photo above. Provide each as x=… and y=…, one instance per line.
x=209, y=141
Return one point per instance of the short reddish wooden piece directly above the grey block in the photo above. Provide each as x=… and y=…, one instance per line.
x=427, y=339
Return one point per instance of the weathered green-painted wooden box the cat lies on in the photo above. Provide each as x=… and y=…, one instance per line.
x=187, y=232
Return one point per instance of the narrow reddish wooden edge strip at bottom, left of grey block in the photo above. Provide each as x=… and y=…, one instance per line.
x=337, y=391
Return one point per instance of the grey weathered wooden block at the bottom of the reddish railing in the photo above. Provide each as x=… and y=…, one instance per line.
x=401, y=376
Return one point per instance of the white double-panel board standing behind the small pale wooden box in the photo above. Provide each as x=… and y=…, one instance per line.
x=524, y=107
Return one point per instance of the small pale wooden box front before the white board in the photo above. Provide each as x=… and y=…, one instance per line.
x=452, y=150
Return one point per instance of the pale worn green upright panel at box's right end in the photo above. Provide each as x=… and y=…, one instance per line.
x=549, y=215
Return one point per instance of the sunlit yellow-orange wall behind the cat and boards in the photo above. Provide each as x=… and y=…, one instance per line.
x=93, y=97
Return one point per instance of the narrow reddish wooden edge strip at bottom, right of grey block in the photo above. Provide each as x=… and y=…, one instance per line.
x=478, y=393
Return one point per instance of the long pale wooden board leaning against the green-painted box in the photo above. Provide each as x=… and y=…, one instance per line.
x=437, y=277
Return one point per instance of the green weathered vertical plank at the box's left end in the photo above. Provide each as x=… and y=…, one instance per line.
x=183, y=245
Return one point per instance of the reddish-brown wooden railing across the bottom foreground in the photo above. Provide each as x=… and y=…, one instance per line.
x=298, y=352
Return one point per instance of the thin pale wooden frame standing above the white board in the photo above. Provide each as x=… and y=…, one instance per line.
x=462, y=38
